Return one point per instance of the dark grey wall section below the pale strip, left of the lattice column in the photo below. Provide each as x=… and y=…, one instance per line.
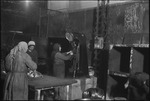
x=79, y=21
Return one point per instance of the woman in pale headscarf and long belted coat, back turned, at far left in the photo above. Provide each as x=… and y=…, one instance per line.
x=16, y=83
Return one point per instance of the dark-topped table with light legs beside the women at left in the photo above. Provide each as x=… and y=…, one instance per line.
x=48, y=82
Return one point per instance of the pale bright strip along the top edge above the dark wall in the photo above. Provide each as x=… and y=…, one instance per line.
x=74, y=5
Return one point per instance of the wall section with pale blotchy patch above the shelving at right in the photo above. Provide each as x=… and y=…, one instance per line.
x=128, y=22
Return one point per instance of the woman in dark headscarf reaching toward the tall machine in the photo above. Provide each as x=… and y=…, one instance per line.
x=58, y=60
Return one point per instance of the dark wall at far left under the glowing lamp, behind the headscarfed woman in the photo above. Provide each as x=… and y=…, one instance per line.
x=15, y=16
